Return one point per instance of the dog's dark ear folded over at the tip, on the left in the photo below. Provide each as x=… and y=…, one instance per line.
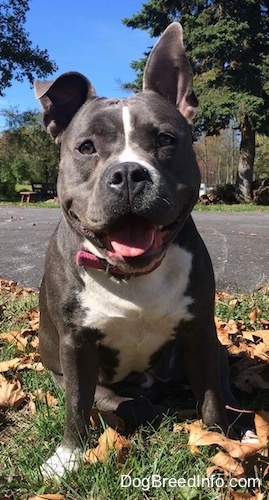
x=61, y=99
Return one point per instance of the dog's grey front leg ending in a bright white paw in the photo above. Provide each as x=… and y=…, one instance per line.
x=79, y=362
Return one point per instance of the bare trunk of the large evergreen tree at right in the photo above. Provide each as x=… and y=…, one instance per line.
x=246, y=162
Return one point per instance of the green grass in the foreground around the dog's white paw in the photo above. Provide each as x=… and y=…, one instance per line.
x=161, y=453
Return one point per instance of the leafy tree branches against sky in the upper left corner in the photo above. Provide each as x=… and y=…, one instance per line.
x=18, y=58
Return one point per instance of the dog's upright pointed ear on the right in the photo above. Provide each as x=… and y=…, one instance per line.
x=168, y=72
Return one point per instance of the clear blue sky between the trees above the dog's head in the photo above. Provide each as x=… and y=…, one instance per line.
x=86, y=36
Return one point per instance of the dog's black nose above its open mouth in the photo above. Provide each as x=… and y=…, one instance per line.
x=128, y=178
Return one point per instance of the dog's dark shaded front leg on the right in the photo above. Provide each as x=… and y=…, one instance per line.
x=201, y=355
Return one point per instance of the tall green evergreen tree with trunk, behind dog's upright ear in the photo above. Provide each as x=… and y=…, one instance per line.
x=228, y=45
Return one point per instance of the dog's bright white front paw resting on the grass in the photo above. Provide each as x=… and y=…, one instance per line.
x=63, y=460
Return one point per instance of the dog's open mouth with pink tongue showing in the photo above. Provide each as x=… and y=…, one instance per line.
x=132, y=243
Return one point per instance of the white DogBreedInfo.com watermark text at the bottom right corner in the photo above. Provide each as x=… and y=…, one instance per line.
x=157, y=481
